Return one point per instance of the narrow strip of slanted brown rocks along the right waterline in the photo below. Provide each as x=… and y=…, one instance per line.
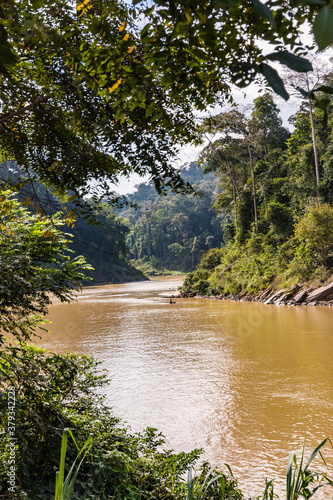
x=296, y=295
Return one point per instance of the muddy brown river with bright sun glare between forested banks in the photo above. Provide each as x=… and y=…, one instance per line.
x=245, y=381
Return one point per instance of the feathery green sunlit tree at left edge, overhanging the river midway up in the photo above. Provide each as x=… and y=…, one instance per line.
x=34, y=263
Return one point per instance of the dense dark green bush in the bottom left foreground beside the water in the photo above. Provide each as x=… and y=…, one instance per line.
x=57, y=391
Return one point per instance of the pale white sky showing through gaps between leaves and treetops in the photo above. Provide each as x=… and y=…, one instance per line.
x=243, y=97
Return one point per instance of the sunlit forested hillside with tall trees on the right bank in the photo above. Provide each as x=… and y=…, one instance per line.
x=278, y=188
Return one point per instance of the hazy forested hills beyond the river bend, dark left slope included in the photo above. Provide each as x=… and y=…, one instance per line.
x=159, y=235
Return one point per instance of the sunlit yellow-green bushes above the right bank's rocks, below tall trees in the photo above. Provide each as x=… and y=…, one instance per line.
x=262, y=261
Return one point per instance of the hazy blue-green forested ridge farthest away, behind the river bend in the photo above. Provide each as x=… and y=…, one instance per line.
x=171, y=233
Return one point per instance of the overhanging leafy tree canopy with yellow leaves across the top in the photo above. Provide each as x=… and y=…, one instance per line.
x=86, y=95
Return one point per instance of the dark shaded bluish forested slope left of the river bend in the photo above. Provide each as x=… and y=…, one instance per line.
x=96, y=232
